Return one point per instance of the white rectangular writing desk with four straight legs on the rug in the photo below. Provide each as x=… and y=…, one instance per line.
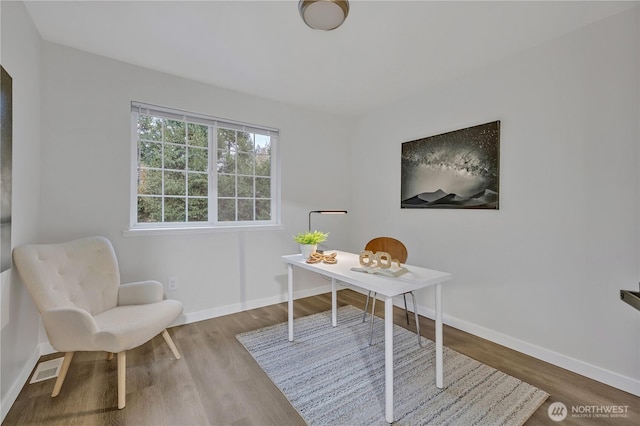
x=417, y=278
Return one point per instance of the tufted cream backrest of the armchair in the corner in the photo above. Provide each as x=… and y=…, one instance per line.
x=81, y=273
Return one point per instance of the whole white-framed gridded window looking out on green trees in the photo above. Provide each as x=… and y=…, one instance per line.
x=197, y=171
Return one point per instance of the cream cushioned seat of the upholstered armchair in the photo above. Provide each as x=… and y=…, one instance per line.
x=126, y=327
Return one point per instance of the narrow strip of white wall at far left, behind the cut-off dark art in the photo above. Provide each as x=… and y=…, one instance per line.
x=19, y=337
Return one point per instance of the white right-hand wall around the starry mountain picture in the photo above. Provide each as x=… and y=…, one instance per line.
x=543, y=273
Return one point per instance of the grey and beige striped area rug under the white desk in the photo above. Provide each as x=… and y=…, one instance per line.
x=333, y=377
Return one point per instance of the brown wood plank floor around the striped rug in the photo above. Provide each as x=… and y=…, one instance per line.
x=218, y=383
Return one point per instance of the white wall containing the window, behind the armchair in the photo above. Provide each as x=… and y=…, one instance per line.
x=85, y=179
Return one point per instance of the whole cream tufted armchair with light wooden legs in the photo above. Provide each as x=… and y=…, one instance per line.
x=76, y=287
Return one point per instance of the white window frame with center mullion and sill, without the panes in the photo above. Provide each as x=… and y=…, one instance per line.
x=212, y=224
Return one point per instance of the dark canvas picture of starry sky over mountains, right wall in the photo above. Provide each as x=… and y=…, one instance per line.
x=455, y=170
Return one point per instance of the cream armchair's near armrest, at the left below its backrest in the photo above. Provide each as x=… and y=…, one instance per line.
x=69, y=329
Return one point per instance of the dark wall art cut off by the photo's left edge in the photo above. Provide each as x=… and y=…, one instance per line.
x=6, y=118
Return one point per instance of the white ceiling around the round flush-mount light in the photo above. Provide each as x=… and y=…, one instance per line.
x=386, y=50
